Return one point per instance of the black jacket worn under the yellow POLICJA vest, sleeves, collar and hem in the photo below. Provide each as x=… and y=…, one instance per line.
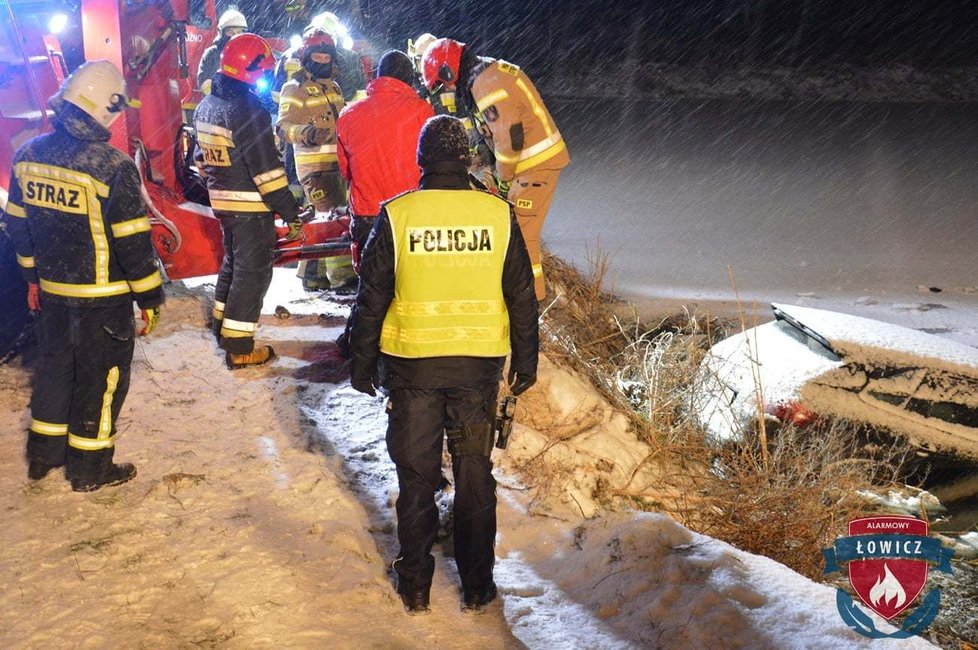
x=377, y=269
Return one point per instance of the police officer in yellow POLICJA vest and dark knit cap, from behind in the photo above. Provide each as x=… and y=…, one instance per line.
x=446, y=293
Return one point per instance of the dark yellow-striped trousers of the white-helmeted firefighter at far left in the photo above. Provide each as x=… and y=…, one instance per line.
x=80, y=385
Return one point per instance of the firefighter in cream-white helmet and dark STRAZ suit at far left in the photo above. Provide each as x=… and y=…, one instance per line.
x=82, y=236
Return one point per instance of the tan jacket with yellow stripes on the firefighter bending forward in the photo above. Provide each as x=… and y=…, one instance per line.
x=515, y=121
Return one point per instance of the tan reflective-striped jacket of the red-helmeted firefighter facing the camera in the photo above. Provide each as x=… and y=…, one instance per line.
x=304, y=102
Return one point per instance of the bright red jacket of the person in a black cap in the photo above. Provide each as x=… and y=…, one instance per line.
x=377, y=141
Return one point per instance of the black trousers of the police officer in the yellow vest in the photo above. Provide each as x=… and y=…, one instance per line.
x=415, y=434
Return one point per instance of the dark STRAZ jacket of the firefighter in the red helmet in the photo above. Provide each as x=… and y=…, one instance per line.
x=236, y=153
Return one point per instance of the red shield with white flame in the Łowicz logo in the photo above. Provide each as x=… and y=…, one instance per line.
x=887, y=585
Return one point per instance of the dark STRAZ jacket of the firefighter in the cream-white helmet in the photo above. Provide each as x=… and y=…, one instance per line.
x=77, y=217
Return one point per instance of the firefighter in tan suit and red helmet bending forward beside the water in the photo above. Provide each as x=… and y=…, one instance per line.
x=513, y=120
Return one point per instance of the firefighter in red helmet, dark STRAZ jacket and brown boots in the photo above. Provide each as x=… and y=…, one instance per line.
x=247, y=186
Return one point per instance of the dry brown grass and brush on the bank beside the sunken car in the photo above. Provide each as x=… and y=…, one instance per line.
x=785, y=494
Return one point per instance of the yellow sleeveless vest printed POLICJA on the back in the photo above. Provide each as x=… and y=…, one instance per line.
x=449, y=249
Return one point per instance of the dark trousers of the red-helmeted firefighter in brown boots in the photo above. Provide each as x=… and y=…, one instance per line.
x=246, y=272
